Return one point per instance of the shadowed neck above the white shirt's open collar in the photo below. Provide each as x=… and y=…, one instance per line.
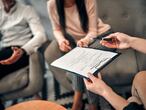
x=8, y=4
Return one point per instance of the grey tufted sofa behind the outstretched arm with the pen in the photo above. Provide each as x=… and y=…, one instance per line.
x=124, y=16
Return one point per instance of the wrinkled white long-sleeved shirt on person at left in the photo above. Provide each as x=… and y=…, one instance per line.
x=19, y=26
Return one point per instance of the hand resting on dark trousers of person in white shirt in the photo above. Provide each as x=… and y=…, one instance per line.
x=17, y=54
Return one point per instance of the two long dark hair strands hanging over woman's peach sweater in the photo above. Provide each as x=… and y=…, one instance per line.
x=82, y=14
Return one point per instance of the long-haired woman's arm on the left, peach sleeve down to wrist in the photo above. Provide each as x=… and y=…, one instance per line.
x=54, y=20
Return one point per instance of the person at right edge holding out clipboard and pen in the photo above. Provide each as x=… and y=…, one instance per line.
x=138, y=99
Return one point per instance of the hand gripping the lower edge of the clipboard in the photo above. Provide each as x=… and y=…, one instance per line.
x=96, y=85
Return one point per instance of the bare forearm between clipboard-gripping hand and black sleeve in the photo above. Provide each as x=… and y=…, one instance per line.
x=115, y=100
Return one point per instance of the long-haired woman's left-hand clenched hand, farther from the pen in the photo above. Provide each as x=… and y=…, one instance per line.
x=64, y=45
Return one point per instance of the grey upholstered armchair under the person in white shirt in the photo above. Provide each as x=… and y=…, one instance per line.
x=24, y=82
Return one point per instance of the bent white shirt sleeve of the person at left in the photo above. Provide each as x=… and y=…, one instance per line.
x=37, y=30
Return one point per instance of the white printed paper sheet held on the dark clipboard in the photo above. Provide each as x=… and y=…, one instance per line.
x=84, y=60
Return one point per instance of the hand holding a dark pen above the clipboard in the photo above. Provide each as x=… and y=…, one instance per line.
x=120, y=40
